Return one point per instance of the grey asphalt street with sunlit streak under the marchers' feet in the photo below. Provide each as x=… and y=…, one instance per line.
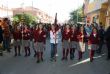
x=27, y=65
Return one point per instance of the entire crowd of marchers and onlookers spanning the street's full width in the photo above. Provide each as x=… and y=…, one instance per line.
x=73, y=38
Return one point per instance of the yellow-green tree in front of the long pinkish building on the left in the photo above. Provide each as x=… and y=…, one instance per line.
x=28, y=18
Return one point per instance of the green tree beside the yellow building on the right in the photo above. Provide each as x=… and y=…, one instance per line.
x=73, y=15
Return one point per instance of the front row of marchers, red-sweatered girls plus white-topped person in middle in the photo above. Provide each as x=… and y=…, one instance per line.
x=72, y=40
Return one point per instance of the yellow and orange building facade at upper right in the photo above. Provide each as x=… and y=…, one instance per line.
x=96, y=11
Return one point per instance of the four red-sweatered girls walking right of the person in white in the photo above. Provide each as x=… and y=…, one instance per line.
x=73, y=39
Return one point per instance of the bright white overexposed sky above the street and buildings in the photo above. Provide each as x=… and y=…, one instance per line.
x=61, y=7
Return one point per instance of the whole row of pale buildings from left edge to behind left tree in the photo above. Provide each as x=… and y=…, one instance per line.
x=40, y=15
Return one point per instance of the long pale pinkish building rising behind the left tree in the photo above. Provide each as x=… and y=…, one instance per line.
x=40, y=15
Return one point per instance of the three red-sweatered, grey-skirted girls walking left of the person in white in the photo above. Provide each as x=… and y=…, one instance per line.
x=26, y=36
